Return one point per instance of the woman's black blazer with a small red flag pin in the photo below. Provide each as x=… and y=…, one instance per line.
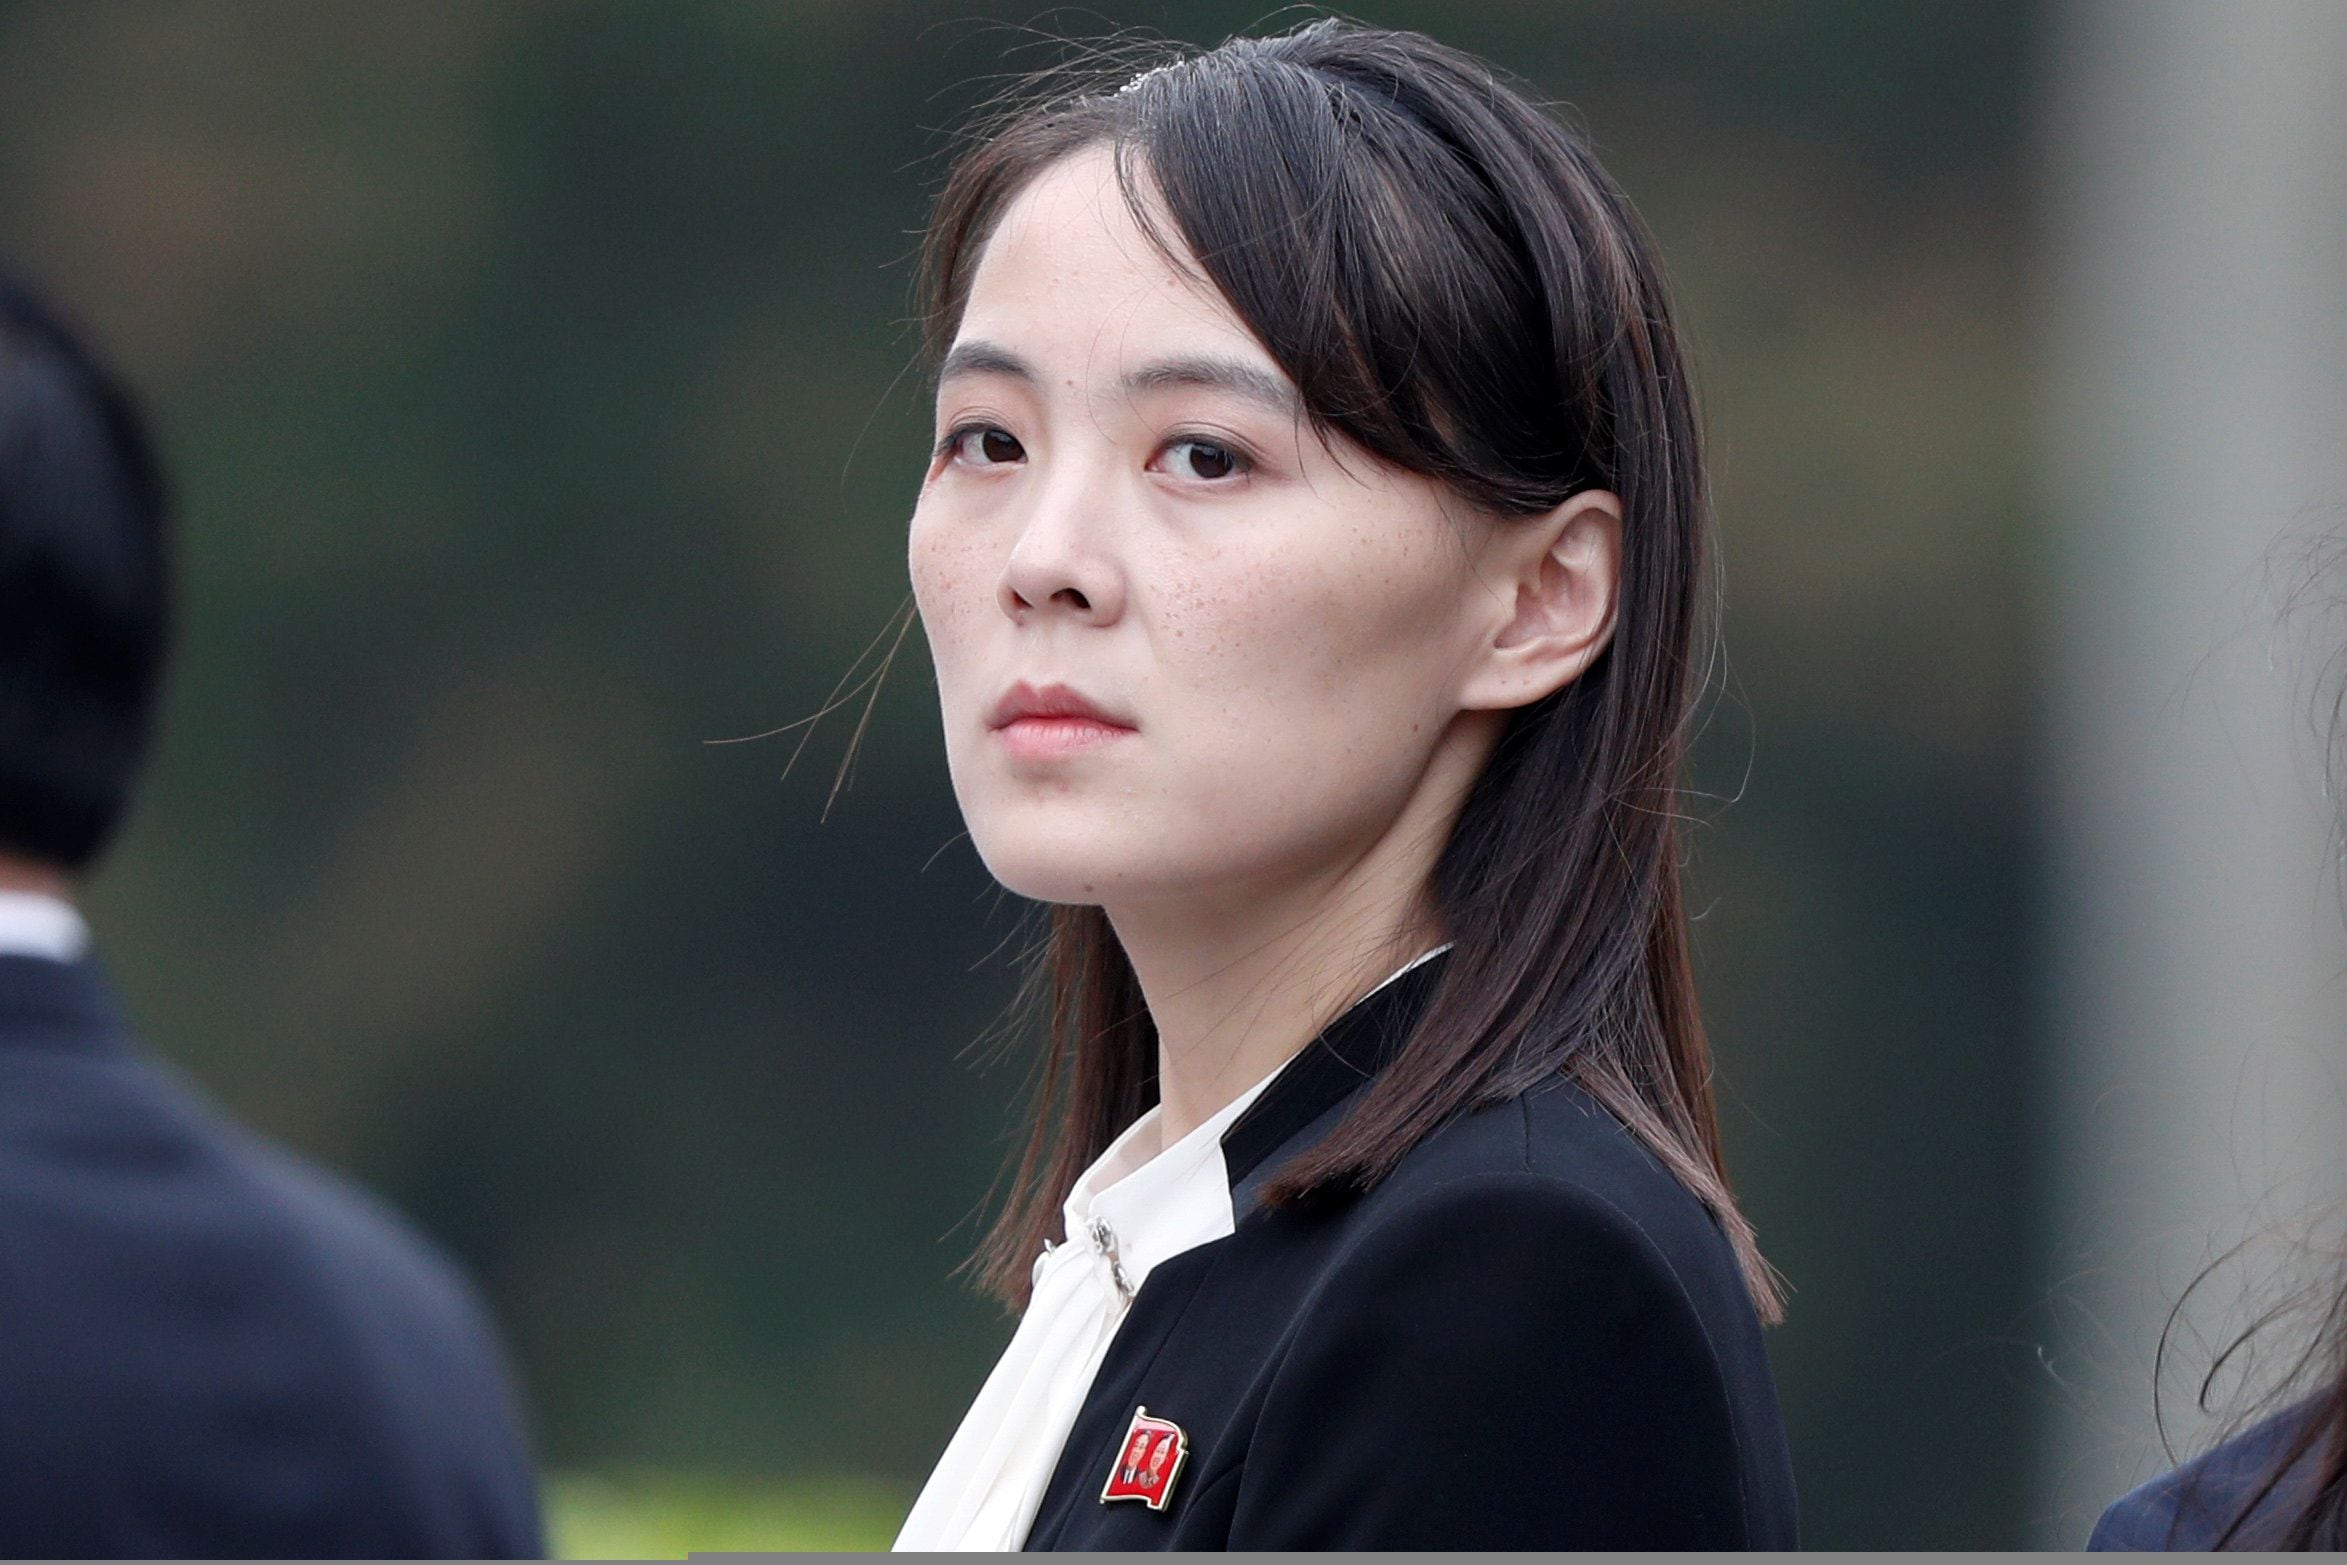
x=1529, y=1336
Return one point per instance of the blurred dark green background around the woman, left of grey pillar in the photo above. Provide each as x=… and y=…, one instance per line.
x=536, y=381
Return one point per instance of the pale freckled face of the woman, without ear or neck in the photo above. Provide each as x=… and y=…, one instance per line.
x=1182, y=646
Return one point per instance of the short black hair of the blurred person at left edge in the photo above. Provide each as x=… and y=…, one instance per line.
x=86, y=595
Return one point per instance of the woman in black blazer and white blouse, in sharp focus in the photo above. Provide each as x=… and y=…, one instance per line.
x=1313, y=569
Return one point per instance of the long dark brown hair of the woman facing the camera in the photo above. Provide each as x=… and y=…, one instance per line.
x=1456, y=287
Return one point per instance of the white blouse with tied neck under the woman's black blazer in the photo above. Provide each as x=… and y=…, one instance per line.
x=1135, y=1210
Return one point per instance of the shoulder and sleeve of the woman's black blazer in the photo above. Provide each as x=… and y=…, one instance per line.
x=1499, y=1317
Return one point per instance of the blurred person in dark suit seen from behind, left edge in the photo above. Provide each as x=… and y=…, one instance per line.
x=215, y=1348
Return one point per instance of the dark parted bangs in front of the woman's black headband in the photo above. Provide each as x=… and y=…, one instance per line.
x=1325, y=215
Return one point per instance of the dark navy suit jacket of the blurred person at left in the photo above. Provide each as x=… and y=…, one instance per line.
x=210, y=1348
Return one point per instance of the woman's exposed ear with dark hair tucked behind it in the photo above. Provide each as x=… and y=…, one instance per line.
x=1567, y=576
